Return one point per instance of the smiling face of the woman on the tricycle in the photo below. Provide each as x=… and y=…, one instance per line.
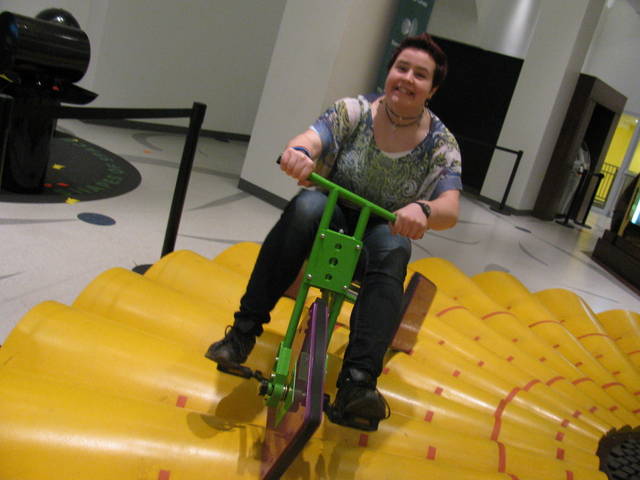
x=410, y=80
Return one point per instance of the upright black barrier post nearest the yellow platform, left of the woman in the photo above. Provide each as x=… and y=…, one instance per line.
x=182, y=182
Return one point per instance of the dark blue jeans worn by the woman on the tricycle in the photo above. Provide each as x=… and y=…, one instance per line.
x=377, y=310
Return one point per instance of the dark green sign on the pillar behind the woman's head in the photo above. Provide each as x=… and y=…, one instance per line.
x=411, y=18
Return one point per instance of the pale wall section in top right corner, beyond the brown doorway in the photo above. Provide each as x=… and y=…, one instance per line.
x=614, y=56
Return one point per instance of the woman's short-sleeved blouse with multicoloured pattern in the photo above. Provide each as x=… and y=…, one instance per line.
x=351, y=158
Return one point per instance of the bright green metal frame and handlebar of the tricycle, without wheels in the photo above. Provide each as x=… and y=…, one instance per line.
x=331, y=266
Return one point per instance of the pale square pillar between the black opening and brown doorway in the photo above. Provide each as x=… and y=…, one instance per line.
x=552, y=64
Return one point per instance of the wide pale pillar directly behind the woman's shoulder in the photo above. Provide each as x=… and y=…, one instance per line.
x=324, y=51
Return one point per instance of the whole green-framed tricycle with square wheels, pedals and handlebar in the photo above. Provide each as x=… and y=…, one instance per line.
x=294, y=392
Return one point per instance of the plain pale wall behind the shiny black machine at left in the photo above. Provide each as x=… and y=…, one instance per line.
x=167, y=53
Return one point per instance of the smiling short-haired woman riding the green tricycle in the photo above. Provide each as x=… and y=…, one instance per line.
x=393, y=151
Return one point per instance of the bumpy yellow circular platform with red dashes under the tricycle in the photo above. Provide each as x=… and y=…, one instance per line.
x=503, y=384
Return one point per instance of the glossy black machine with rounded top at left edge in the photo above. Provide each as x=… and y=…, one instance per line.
x=41, y=59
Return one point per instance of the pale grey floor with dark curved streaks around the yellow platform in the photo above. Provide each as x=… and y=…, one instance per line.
x=48, y=253
